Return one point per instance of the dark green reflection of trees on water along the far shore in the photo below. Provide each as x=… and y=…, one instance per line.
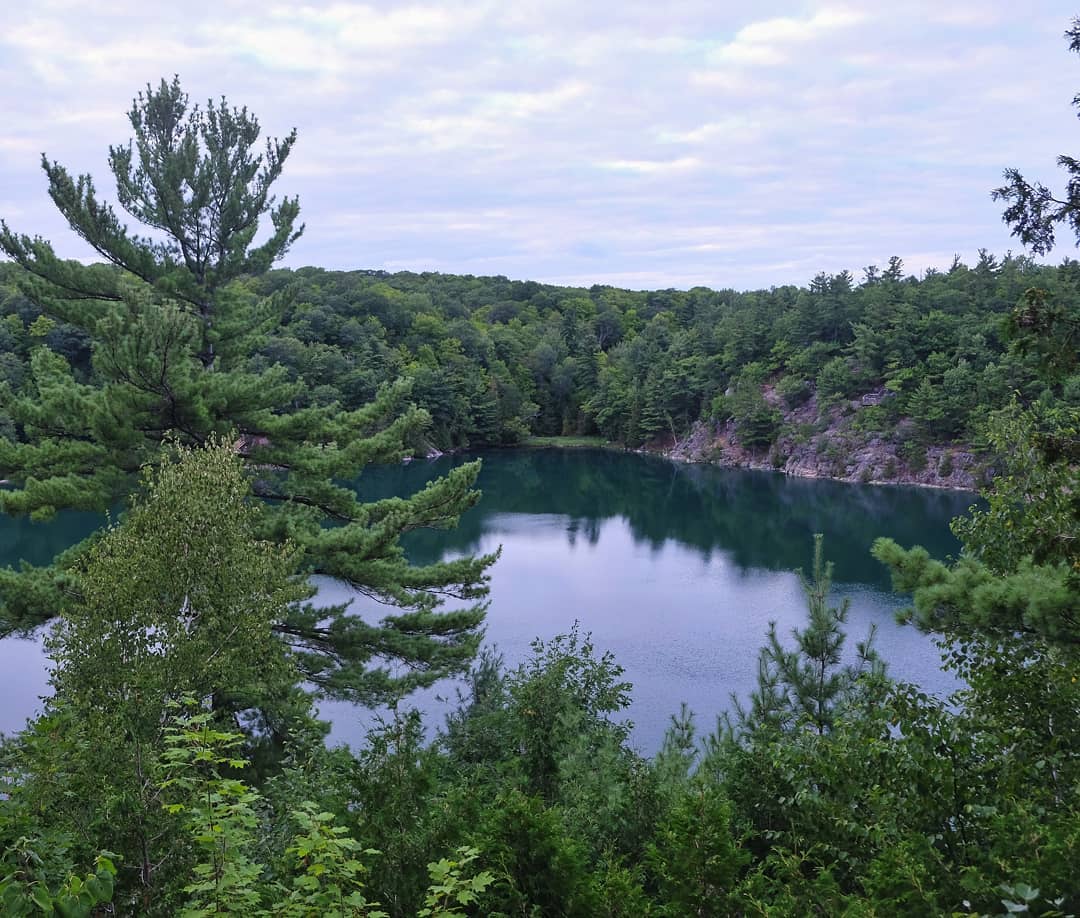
x=758, y=520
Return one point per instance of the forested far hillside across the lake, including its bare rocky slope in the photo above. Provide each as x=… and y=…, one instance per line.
x=914, y=362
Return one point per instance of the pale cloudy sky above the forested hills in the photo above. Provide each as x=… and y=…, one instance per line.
x=645, y=145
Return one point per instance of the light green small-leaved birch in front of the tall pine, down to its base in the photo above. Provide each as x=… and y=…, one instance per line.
x=179, y=600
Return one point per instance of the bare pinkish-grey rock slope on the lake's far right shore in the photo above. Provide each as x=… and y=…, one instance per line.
x=834, y=449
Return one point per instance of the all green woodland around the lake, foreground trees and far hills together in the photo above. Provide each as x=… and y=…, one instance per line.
x=214, y=407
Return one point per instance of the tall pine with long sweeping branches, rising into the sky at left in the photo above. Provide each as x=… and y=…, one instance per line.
x=174, y=327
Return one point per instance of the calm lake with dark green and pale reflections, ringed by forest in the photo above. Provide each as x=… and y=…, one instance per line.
x=678, y=570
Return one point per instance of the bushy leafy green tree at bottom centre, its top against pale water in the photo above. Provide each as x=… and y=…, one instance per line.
x=558, y=799
